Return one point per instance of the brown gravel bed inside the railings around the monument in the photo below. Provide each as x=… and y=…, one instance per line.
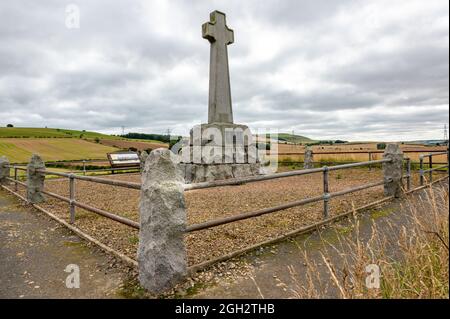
x=213, y=203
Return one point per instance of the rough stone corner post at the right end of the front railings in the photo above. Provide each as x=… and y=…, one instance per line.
x=393, y=170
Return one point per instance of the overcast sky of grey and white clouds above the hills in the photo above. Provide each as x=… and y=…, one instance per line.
x=354, y=70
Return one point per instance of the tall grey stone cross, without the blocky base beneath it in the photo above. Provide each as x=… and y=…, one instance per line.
x=219, y=35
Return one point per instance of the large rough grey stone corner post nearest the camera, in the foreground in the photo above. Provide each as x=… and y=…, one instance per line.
x=161, y=252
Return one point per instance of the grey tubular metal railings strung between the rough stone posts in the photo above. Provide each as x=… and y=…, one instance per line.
x=324, y=197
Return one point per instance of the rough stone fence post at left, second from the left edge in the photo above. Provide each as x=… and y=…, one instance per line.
x=35, y=180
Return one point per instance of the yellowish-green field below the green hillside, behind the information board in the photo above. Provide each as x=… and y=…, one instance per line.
x=19, y=150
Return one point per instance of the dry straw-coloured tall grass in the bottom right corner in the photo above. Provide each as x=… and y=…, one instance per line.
x=413, y=258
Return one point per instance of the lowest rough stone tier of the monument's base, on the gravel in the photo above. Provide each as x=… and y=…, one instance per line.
x=197, y=173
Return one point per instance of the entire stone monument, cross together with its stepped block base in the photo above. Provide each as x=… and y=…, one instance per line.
x=219, y=149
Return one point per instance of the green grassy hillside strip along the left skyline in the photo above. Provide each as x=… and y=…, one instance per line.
x=31, y=132
